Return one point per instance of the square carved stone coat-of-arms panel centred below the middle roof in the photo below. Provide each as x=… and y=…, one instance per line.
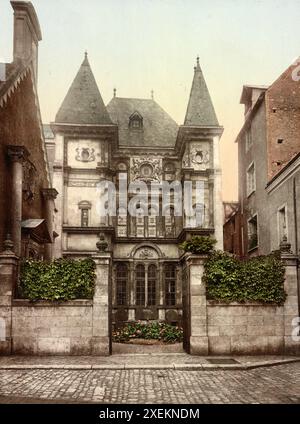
x=146, y=169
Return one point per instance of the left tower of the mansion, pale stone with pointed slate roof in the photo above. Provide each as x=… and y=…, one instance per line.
x=84, y=138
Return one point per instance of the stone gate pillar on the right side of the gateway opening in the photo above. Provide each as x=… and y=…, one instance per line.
x=197, y=314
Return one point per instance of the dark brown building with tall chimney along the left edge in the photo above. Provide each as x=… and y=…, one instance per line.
x=26, y=197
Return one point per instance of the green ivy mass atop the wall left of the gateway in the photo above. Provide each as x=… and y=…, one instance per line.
x=62, y=279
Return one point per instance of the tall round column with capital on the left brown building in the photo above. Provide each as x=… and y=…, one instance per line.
x=17, y=155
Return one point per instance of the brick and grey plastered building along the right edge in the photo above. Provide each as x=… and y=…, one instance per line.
x=268, y=150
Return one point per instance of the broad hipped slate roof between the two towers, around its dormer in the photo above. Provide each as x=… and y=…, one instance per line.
x=159, y=129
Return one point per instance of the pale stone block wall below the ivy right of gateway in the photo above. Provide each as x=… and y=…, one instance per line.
x=250, y=328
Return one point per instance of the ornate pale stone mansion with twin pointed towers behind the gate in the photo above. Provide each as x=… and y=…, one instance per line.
x=134, y=139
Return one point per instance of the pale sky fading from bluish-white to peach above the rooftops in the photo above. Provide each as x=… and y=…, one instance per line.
x=140, y=45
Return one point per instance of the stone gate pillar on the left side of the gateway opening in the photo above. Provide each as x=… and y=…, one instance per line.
x=102, y=306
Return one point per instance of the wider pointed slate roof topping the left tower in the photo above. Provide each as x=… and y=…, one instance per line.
x=83, y=103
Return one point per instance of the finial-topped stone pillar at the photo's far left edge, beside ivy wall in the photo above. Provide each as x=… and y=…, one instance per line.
x=8, y=277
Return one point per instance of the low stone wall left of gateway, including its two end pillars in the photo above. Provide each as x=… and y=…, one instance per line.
x=77, y=327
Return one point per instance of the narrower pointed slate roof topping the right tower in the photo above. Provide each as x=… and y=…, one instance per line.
x=200, y=110
